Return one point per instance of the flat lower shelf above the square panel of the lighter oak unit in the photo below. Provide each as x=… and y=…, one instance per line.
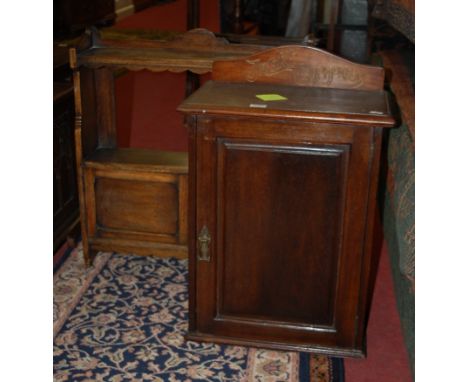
x=132, y=159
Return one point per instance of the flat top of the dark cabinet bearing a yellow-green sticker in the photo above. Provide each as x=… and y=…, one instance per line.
x=334, y=105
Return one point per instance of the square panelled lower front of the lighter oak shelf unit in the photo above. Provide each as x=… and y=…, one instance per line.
x=136, y=211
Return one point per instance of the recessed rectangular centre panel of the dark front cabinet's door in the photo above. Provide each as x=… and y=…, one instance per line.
x=281, y=230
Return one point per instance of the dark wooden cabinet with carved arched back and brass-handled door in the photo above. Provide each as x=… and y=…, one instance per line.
x=282, y=196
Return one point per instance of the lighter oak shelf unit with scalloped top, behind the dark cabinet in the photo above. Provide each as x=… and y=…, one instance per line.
x=133, y=200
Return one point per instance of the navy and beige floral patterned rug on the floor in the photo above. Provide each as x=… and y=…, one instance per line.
x=124, y=319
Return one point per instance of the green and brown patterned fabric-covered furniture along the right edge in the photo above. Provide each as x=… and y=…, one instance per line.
x=398, y=192
